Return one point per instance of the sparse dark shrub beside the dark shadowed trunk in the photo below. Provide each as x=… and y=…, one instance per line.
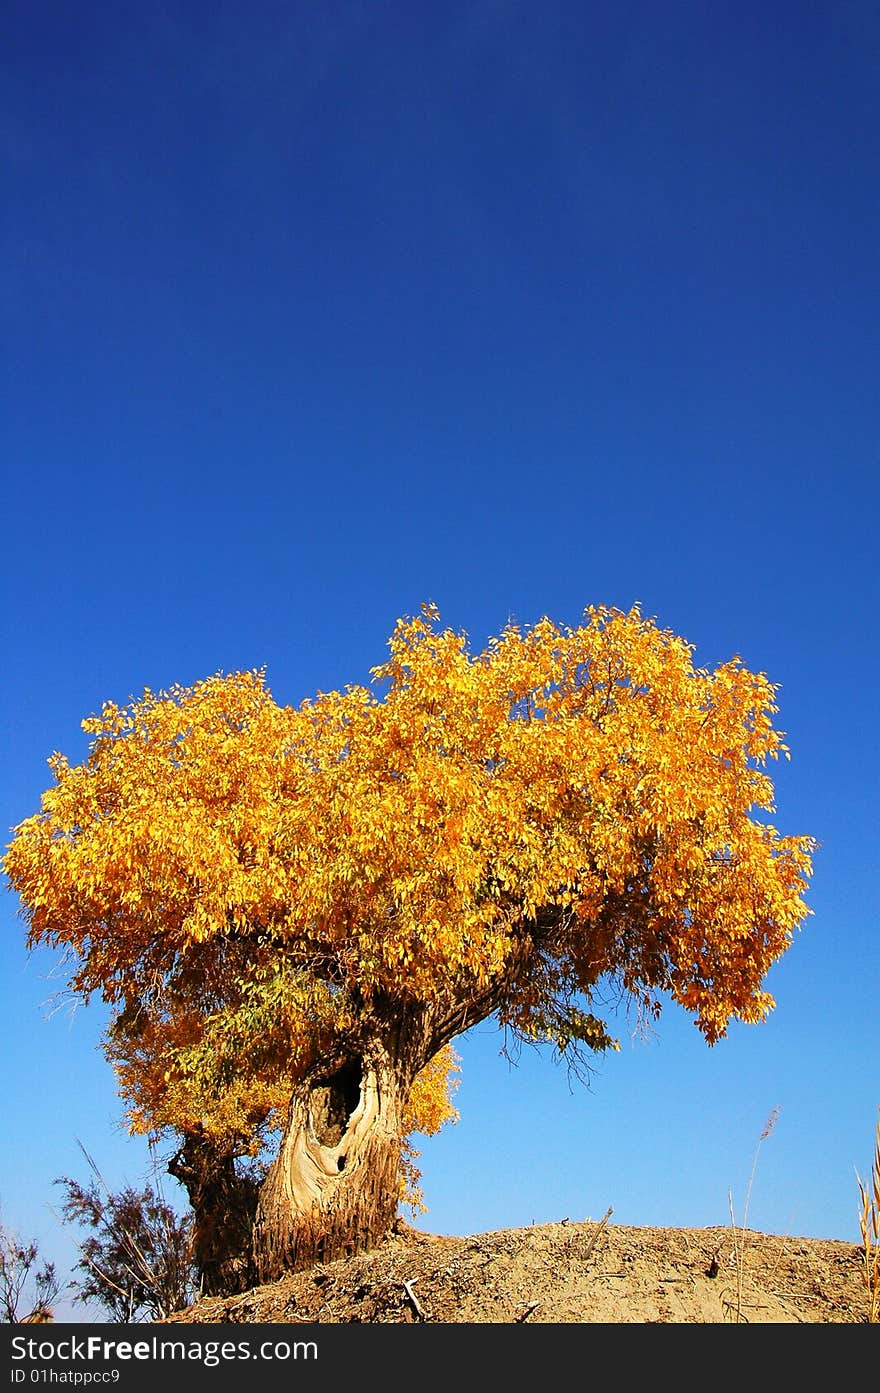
x=139, y=1260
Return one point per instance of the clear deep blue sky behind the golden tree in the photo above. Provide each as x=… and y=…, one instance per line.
x=313, y=313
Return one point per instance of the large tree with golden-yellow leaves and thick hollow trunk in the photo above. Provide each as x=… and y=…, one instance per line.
x=293, y=912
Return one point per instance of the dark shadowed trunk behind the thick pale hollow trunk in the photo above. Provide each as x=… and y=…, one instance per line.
x=223, y=1204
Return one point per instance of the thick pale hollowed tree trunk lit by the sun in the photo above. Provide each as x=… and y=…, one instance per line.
x=336, y=1185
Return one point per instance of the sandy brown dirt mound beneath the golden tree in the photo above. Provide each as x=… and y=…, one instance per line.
x=587, y=1273
